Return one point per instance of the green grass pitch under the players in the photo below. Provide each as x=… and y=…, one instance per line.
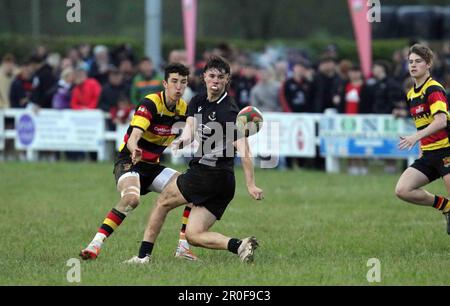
x=314, y=229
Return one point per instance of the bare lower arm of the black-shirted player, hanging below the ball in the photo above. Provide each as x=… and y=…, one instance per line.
x=247, y=164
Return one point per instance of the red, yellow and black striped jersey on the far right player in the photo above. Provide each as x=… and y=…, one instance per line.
x=424, y=102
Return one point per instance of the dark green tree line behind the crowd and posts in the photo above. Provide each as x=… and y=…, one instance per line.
x=241, y=19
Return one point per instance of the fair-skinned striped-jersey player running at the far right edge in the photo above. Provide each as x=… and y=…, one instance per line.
x=429, y=109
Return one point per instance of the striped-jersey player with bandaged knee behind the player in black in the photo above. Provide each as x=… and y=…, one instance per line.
x=137, y=169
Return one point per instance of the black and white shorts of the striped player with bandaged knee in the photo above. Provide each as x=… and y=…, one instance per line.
x=153, y=177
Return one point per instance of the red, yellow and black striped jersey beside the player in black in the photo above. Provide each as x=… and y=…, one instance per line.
x=156, y=120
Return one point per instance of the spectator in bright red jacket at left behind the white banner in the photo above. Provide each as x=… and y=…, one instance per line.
x=87, y=91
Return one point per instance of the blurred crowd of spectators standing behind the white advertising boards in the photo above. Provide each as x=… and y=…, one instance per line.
x=277, y=81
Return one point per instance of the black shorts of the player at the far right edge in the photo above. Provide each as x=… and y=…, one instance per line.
x=434, y=164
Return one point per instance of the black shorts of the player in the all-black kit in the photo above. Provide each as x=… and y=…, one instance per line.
x=210, y=188
